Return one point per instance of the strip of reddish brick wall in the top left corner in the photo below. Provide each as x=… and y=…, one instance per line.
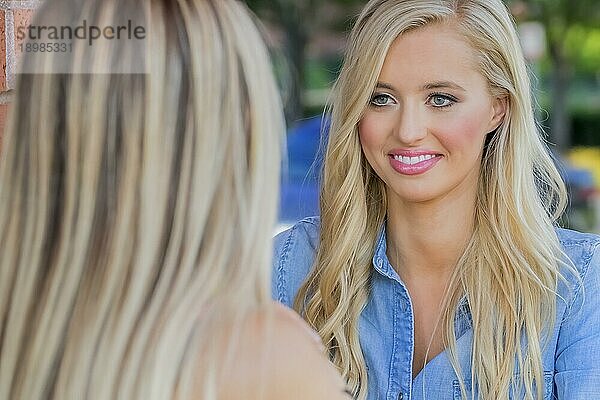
x=13, y=13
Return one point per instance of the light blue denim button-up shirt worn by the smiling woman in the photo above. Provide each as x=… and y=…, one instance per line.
x=571, y=359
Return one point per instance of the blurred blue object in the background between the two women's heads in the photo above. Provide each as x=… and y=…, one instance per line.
x=299, y=196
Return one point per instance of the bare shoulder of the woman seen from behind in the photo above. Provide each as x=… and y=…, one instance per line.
x=280, y=358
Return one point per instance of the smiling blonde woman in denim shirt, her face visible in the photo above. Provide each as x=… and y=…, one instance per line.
x=436, y=269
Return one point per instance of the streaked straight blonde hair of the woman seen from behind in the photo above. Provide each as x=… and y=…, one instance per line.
x=136, y=210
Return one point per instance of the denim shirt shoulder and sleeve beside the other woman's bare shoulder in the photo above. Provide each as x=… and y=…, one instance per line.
x=294, y=254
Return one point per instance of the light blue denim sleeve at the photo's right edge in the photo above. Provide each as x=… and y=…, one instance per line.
x=577, y=357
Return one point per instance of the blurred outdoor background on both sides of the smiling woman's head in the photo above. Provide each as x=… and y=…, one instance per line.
x=560, y=39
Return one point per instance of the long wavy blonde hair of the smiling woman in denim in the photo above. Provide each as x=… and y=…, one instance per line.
x=510, y=268
